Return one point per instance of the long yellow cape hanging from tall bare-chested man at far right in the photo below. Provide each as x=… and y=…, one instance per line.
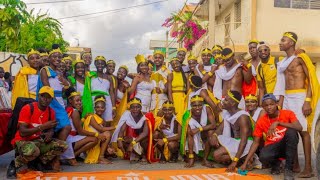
x=314, y=86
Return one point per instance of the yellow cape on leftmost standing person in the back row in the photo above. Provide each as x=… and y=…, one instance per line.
x=21, y=88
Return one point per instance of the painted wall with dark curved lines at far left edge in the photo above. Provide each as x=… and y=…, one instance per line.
x=12, y=62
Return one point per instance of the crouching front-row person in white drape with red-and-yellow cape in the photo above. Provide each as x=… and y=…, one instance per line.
x=134, y=133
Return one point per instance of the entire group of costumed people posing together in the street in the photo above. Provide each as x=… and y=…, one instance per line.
x=222, y=109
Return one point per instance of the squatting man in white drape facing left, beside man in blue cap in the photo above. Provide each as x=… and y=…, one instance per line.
x=233, y=137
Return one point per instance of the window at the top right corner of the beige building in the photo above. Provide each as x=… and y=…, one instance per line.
x=297, y=4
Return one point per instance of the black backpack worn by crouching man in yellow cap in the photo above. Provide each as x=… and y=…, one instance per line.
x=13, y=123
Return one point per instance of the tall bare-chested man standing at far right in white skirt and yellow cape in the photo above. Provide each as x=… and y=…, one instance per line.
x=295, y=94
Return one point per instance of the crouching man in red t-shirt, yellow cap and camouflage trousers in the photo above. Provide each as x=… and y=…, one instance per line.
x=34, y=136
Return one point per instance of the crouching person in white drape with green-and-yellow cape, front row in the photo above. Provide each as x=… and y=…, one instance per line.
x=198, y=130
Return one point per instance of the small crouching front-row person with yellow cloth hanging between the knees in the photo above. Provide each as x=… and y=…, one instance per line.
x=168, y=134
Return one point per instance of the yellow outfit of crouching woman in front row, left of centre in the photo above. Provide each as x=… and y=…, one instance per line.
x=92, y=154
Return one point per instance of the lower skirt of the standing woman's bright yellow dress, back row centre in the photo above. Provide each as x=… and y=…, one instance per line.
x=179, y=104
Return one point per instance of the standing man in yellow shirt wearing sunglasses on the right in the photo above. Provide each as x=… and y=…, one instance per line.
x=266, y=71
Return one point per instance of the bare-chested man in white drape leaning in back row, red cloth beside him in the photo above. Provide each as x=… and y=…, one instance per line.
x=231, y=76
